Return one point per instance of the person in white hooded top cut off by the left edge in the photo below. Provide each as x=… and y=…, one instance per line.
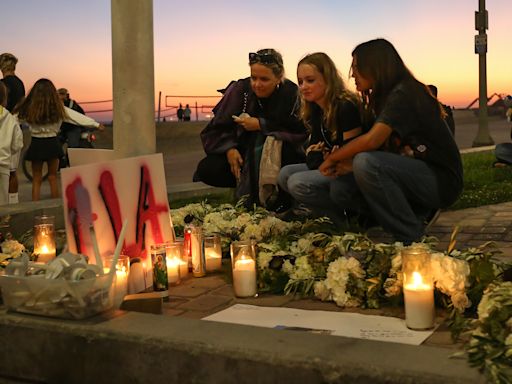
x=11, y=143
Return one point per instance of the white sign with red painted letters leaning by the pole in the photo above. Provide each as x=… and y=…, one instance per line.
x=100, y=196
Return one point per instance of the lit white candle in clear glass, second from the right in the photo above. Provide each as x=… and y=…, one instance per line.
x=243, y=261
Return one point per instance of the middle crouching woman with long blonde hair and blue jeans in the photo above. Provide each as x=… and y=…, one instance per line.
x=331, y=112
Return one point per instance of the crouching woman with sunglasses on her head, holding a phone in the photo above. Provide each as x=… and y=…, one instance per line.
x=255, y=131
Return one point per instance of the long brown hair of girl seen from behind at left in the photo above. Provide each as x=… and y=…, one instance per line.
x=42, y=104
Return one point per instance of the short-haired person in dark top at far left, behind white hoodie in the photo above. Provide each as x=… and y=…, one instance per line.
x=15, y=92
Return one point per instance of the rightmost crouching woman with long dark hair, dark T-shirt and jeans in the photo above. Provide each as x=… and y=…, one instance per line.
x=407, y=165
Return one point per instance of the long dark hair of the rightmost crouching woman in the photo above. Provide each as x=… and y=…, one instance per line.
x=379, y=61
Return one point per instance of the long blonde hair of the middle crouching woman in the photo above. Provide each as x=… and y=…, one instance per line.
x=335, y=90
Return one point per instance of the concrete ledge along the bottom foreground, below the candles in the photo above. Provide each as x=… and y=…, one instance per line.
x=130, y=347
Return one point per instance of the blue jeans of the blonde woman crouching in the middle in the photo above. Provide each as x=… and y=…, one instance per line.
x=313, y=190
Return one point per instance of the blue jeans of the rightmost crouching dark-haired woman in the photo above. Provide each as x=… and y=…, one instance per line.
x=399, y=190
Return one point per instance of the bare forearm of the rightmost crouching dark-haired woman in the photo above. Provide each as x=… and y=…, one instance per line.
x=370, y=141
